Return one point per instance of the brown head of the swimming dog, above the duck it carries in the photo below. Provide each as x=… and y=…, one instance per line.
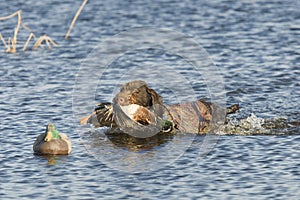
x=137, y=92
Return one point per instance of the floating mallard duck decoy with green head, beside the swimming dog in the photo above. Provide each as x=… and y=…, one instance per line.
x=52, y=142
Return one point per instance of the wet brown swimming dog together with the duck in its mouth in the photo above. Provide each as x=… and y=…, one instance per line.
x=143, y=105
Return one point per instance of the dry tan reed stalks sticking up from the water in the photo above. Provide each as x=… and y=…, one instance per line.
x=11, y=43
